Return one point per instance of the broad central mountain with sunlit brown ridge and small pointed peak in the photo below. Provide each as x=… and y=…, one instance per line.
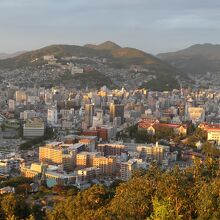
x=119, y=66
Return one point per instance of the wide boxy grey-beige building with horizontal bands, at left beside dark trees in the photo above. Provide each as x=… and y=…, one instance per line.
x=33, y=128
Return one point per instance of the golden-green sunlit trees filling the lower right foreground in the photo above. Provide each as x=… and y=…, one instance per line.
x=192, y=193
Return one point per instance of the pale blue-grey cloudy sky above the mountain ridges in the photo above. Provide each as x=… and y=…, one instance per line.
x=151, y=25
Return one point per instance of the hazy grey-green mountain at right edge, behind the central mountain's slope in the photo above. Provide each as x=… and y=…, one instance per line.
x=197, y=59
